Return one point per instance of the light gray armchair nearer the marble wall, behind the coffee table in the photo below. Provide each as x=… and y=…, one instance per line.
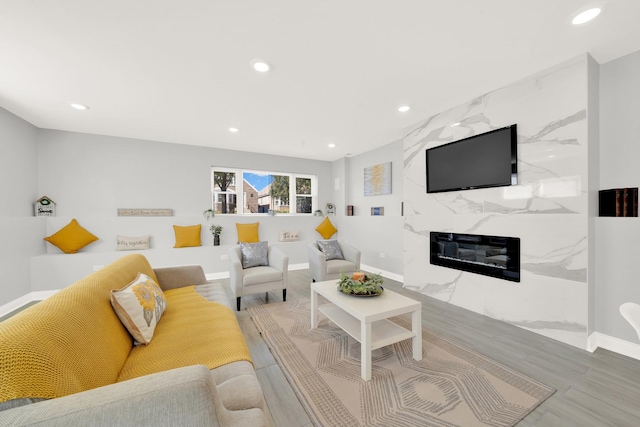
x=322, y=269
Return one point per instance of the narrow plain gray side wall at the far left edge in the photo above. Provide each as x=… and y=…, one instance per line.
x=20, y=231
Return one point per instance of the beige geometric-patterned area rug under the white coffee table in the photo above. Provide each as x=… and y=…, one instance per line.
x=450, y=386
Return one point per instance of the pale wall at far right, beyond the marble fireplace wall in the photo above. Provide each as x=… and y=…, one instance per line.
x=618, y=245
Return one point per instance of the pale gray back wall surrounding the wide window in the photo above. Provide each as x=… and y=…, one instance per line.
x=91, y=176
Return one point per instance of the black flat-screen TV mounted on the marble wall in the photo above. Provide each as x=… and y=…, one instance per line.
x=486, y=160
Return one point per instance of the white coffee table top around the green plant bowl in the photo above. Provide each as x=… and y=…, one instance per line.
x=367, y=309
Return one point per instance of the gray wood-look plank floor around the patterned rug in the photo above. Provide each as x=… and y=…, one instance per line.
x=593, y=389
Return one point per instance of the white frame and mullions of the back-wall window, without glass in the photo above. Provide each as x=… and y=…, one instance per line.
x=241, y=194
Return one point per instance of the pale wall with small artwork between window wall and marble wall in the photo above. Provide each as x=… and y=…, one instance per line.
x=379, y=238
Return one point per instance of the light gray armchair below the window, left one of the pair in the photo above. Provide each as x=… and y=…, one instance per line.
x=253, y=280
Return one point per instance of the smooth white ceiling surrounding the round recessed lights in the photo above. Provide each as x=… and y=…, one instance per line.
x=179, y=71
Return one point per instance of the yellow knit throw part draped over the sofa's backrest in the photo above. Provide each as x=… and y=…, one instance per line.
x=72, y=341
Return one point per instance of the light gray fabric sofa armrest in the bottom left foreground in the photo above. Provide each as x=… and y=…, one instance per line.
x=181, y=396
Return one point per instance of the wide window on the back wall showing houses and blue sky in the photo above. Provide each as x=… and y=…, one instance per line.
x=262, y=192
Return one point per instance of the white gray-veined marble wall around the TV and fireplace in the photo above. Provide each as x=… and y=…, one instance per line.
x=547, y=210
